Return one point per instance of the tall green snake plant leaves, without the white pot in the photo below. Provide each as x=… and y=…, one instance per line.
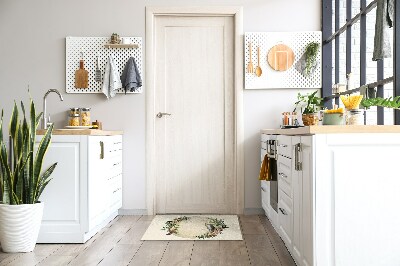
x=21, y=178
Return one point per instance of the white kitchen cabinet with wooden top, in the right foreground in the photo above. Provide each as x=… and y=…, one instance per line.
x=344, y=196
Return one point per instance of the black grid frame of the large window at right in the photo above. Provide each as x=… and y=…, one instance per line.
x=328, y=37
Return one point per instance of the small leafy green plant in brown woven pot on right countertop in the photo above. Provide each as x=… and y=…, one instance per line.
x=309, y=104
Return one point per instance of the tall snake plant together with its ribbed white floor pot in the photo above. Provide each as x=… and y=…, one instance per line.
x=22, y=181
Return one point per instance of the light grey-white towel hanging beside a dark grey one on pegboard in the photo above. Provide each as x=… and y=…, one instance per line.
x=111, y=82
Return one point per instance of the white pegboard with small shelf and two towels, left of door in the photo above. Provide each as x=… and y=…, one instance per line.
x=91, y=46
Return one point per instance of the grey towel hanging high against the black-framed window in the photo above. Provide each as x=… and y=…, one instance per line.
x=384, y=21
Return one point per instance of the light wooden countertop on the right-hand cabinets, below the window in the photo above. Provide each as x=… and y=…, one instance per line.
x=311, y=130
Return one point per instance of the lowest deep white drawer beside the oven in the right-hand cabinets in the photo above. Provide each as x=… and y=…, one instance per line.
x=285, y=218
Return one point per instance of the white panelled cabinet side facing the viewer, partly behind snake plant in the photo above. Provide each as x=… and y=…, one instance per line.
x=64, y=219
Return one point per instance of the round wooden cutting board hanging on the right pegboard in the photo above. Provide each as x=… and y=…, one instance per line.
x=280, y=57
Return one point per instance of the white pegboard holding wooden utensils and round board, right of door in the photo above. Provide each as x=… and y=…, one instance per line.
x=291, y=78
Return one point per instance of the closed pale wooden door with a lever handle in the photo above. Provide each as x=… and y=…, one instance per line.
x=194, y=82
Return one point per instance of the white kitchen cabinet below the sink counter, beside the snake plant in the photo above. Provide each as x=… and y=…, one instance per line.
x=86, y=188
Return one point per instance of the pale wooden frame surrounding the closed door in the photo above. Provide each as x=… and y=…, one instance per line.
x=151, y=14
